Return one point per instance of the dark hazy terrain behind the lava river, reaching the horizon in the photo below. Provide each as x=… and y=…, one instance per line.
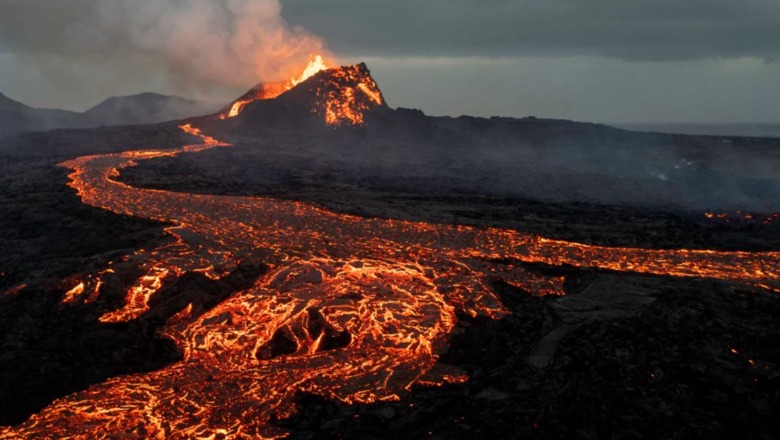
x=575, y=181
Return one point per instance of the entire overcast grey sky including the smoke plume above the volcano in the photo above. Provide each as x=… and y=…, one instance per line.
x=594, y=60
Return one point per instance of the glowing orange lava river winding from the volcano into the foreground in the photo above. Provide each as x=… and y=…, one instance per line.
x=352, y=309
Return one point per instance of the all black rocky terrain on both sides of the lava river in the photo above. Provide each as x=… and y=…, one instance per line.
x=620, y=356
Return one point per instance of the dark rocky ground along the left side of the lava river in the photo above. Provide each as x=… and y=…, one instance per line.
x=49, y=235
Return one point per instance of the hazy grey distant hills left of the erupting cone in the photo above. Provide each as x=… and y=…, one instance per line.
x=145, y=108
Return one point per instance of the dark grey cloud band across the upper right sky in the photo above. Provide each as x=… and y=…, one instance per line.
x=647, y=30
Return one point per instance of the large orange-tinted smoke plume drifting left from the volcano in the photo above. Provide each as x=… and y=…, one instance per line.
x=195, y=45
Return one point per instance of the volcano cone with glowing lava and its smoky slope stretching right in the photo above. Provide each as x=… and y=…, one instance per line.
x=361, y=143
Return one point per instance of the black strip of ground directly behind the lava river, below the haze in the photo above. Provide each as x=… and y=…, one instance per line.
x=251, y=169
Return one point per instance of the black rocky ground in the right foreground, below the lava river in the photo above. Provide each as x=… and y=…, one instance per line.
x=620, y=357
